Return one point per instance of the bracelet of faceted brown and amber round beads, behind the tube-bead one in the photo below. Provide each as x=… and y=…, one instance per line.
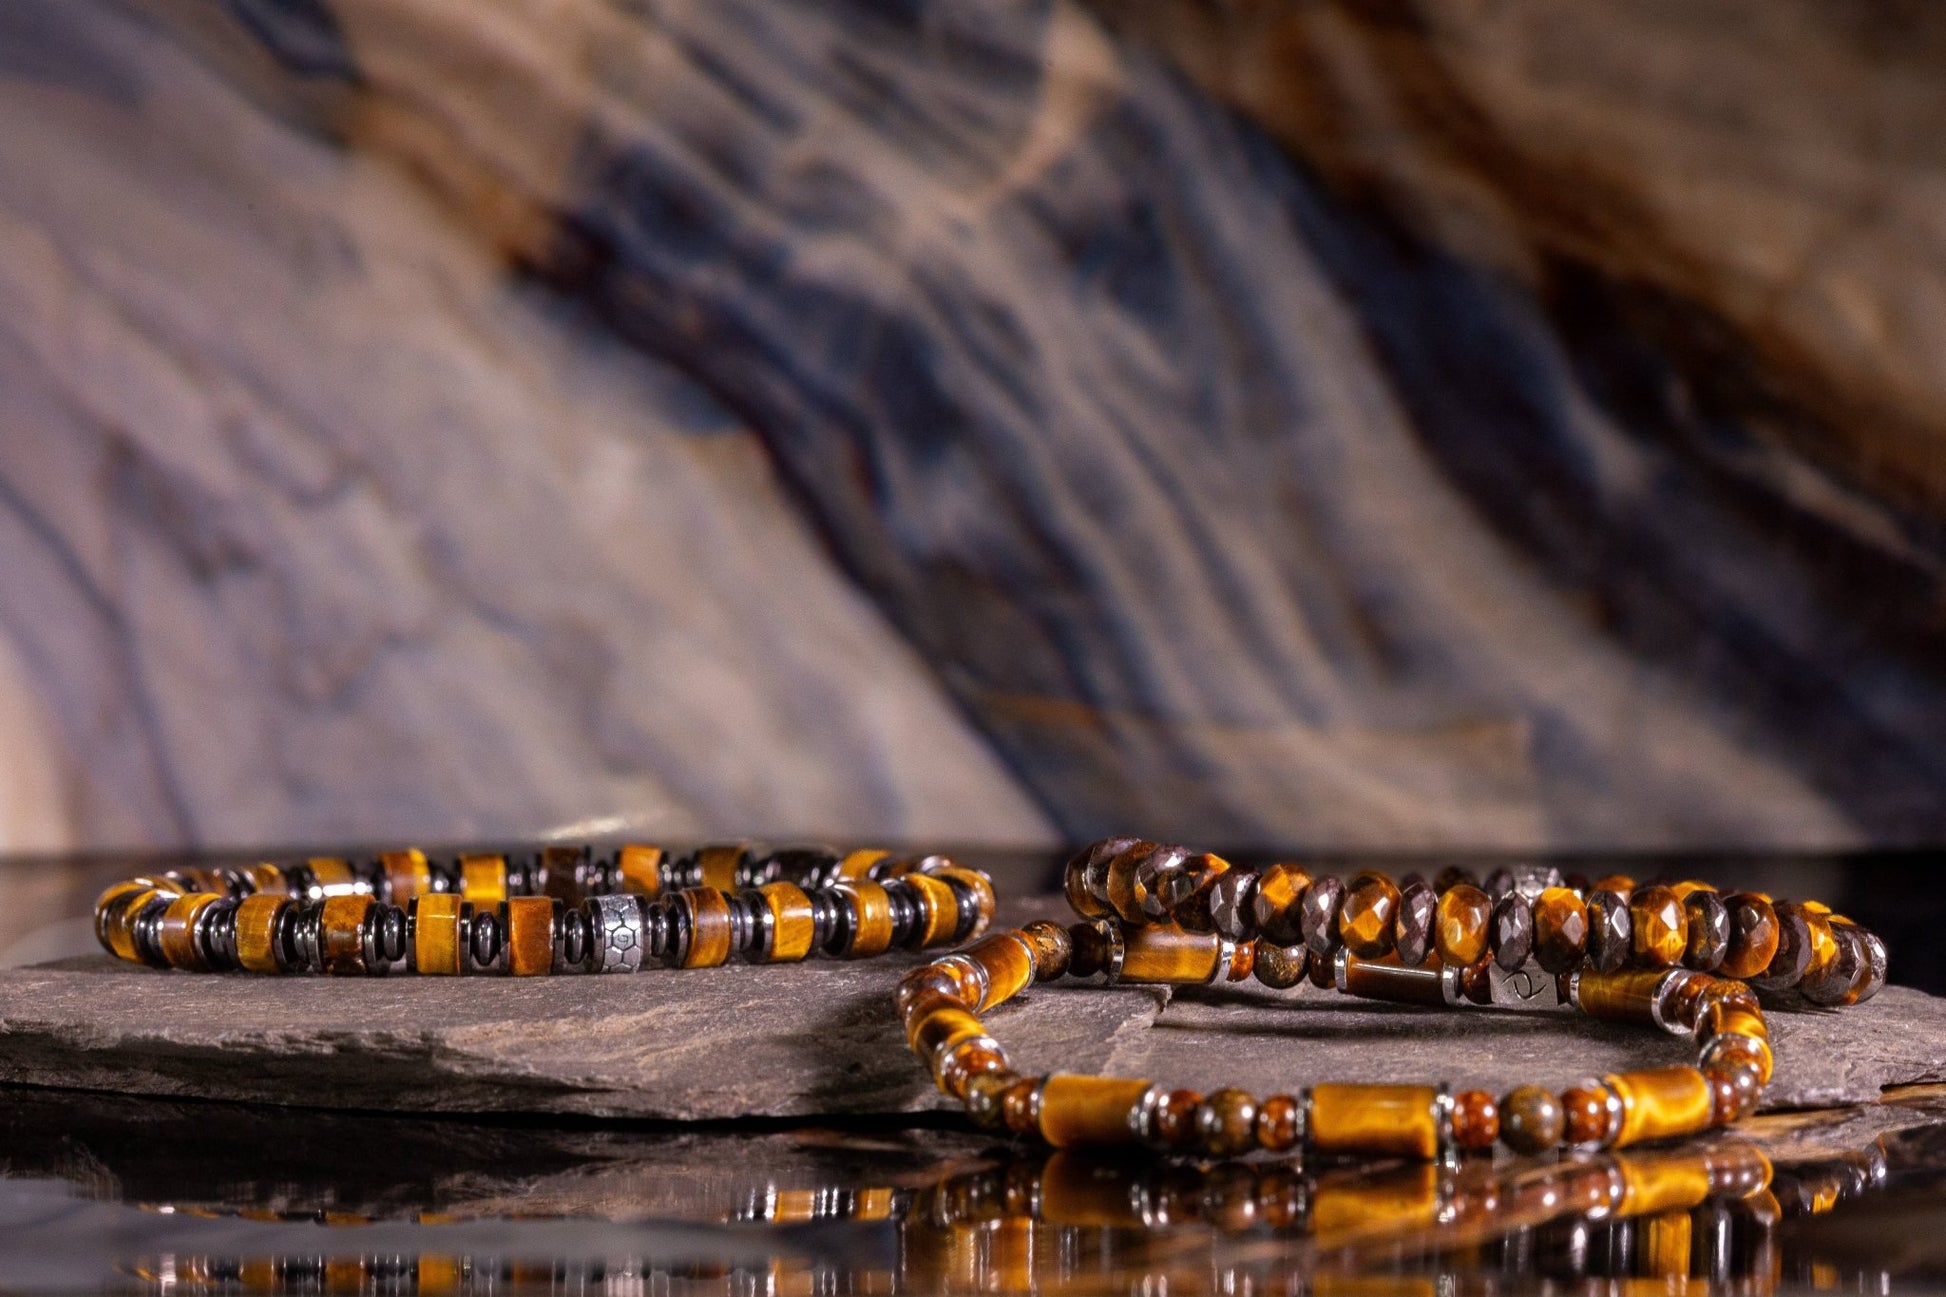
x=1564, y=924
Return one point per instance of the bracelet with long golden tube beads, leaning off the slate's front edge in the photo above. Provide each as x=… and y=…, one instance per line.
x=941, y=1002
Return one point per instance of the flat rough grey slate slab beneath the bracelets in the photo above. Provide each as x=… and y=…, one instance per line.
x=816, y=1039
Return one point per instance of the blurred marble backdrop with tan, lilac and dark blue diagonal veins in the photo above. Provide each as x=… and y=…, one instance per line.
x=990, y=420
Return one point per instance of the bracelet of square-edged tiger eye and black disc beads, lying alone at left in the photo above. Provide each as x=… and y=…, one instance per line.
x=559, y=910
